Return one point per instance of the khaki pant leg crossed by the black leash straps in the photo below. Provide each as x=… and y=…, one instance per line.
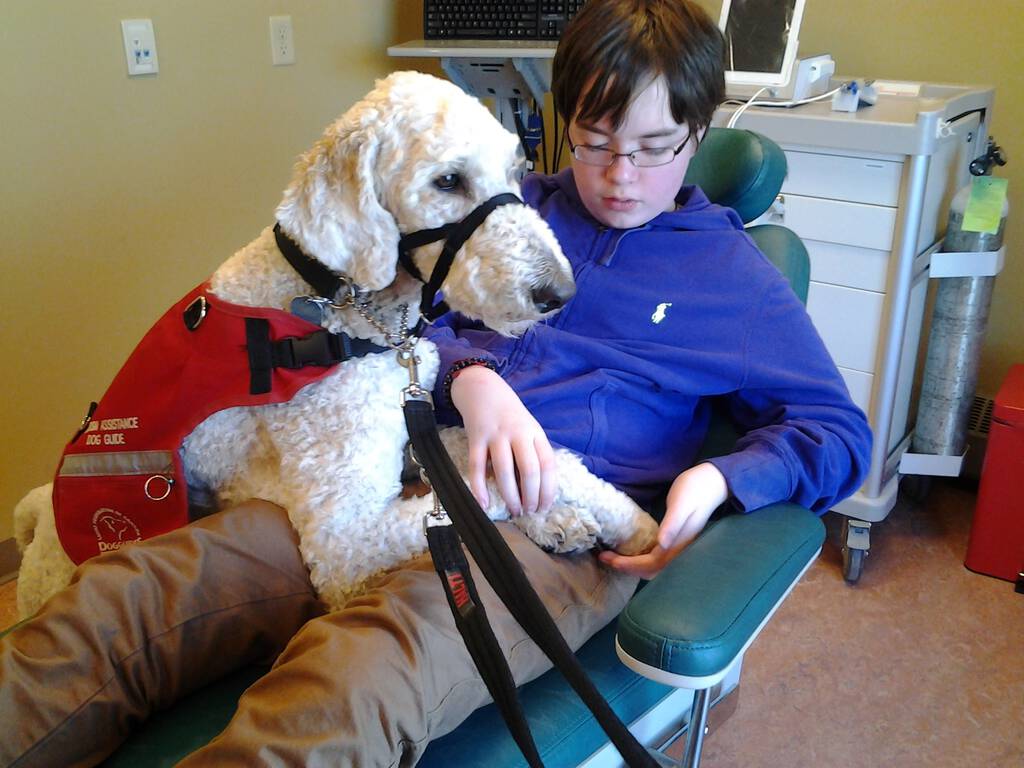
x=371, y=685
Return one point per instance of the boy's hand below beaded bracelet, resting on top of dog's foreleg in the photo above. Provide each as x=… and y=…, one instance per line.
x=501, y=431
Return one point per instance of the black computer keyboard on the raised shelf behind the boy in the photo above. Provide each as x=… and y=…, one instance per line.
x=494, y=20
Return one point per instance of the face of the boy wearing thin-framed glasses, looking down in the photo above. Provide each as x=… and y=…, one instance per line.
x=623, y=196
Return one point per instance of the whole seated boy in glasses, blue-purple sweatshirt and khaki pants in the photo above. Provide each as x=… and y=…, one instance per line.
x=622, y=382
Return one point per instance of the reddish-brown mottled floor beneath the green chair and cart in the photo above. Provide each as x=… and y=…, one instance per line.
x=921, y=664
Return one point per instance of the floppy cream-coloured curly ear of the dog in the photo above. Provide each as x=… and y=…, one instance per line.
x=333, y=206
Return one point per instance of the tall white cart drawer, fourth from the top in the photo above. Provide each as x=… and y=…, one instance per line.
x=849, y=321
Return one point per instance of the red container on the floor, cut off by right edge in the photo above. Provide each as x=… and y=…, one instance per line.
x=997, y=543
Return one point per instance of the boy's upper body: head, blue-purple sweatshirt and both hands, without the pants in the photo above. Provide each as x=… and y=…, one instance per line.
x=674, y=306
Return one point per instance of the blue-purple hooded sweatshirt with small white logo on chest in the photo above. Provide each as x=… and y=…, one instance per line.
x=666, y=317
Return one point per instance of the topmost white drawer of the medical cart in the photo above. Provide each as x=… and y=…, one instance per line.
x=838, y=178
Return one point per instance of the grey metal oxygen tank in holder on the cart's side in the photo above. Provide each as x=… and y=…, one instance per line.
x=959, y=323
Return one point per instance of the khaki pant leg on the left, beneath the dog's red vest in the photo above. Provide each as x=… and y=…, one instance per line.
x=144, y=626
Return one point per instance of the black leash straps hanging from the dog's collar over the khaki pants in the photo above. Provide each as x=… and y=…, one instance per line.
x=505, y=575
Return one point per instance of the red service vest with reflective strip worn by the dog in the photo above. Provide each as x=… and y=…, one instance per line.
x=121, y=478
